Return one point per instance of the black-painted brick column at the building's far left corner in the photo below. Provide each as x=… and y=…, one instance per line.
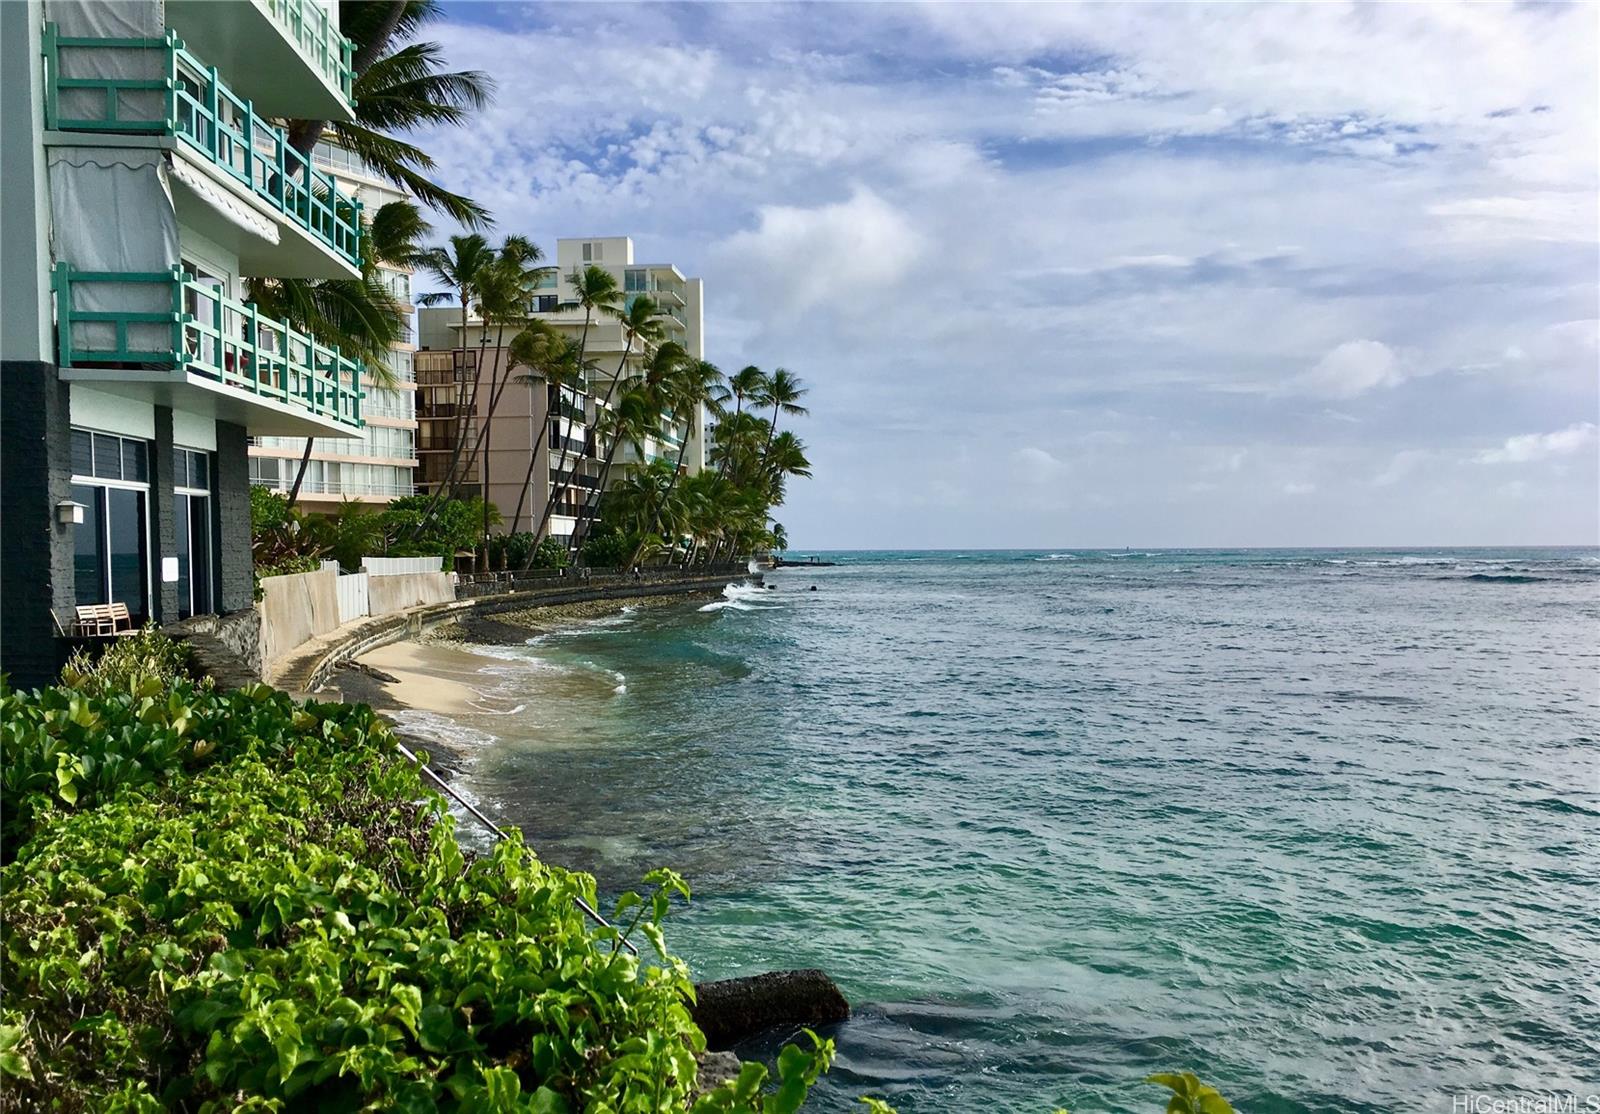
x=36, y=475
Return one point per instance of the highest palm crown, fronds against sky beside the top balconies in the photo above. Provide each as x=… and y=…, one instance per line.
x=401, y=89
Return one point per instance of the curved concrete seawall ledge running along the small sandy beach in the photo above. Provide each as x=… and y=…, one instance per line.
x=308, y=668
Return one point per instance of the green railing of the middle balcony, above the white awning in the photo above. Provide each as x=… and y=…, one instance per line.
x=188, y=100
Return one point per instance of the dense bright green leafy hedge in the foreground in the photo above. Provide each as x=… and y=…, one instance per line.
x=233, y=902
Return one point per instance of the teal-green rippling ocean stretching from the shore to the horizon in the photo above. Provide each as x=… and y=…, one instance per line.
x=1322, y=827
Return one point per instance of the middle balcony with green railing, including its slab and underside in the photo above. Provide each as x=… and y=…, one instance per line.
x=236, y=151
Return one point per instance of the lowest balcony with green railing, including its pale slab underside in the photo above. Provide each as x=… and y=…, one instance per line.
x=180, y=342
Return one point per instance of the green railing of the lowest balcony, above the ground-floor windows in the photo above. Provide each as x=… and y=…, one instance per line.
x=169, y=321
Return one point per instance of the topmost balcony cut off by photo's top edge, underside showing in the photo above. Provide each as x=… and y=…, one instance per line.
x=286, y=55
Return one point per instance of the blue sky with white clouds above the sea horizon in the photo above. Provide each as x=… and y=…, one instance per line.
x=1068, y=276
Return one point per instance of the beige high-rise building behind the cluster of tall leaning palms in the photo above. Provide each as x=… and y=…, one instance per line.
x=447, y=367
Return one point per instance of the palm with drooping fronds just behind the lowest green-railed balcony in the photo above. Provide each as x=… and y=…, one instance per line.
x=358, y=316
